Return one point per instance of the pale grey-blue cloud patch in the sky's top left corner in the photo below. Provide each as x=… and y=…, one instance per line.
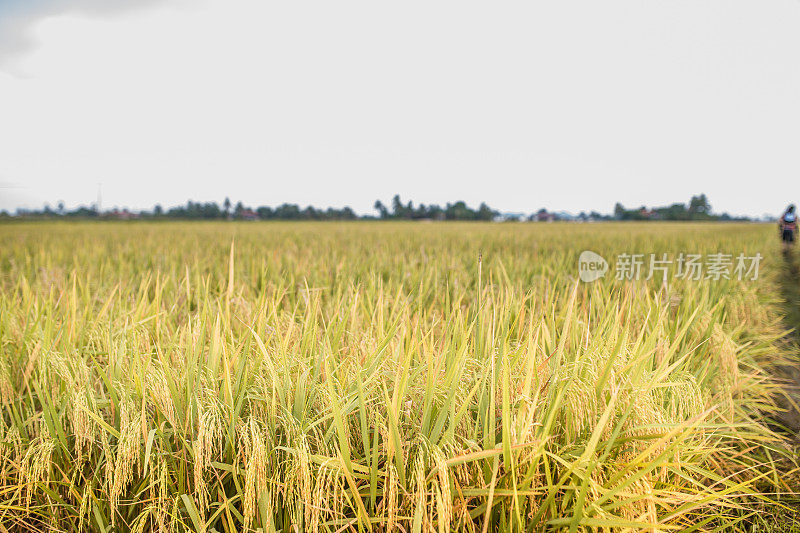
x=18, y=19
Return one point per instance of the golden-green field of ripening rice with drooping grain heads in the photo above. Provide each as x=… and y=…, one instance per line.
x=331, y=377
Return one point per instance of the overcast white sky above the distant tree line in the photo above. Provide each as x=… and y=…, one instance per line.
x=564, y=104
